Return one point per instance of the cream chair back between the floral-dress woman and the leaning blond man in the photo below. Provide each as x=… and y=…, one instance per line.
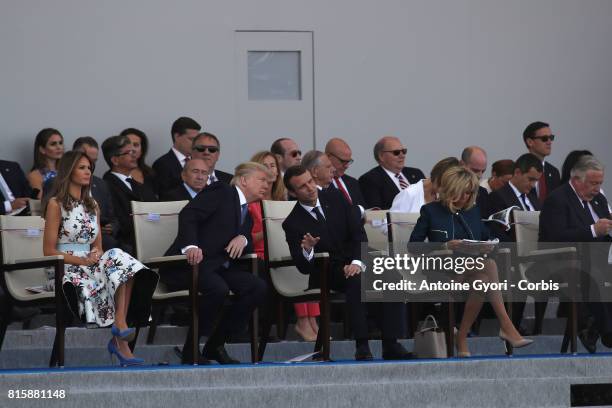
x=155, y=227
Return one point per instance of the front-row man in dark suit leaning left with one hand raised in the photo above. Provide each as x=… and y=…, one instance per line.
x=324, y=222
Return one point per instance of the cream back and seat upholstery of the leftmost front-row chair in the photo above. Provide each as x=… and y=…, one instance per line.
x=22, y=238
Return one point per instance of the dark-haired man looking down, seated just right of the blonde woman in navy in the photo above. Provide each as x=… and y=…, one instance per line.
x=519, y=192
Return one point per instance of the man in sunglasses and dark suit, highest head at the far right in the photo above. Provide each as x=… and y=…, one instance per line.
x=538, y=138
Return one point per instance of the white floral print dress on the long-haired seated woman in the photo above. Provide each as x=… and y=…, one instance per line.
x=95, y=285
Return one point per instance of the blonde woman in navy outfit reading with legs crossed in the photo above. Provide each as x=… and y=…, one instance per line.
x=452, y=219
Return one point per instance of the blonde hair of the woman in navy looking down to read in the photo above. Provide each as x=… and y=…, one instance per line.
x=455, y=182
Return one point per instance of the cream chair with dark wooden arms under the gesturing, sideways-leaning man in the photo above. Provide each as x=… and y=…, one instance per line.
x=289, y=284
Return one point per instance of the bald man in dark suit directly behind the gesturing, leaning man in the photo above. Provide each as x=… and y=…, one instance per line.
x=340, y=154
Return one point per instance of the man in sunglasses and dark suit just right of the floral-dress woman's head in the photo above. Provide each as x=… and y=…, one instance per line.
x=119, y=155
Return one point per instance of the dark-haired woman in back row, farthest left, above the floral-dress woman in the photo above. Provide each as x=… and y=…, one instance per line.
x=48, y=149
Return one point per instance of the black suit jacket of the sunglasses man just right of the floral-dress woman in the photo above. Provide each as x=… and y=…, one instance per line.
x=121, y=198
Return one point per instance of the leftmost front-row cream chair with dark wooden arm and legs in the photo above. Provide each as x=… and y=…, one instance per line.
x=23, y=266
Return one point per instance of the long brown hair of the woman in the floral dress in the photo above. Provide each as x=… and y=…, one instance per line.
x=61, y=184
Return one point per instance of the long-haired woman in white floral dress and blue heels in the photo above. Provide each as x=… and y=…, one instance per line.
x=102, y=285
